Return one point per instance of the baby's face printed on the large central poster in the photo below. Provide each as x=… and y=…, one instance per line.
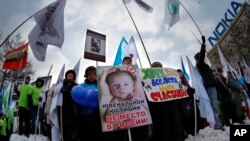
x=121, y=86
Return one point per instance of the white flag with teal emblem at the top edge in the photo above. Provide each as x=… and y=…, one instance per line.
x=171, y=14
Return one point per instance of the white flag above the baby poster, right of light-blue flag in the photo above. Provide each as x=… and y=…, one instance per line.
x=131, y=50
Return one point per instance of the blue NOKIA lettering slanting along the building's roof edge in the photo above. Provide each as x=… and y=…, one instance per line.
x=224, y=23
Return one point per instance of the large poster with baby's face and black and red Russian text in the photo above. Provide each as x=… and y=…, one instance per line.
x=122, y=101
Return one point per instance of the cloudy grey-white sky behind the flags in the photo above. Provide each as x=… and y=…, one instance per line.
x=110, y=17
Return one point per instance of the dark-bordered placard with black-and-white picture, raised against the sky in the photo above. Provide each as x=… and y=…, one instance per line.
x=95, y=46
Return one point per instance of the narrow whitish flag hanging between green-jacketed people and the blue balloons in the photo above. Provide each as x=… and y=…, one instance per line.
x=56, y=101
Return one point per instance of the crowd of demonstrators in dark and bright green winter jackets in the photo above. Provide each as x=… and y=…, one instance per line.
x=172, y=120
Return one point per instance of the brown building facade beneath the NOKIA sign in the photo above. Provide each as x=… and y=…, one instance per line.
x=235, y=41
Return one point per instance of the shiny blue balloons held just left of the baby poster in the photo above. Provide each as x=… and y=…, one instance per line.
x=85, y=95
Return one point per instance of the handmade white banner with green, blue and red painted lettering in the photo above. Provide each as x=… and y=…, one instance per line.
x=162, y=84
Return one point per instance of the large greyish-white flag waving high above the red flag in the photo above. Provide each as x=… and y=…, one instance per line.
x=49, y=29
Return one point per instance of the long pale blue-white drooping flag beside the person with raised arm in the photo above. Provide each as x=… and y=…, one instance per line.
x=200, y=91
